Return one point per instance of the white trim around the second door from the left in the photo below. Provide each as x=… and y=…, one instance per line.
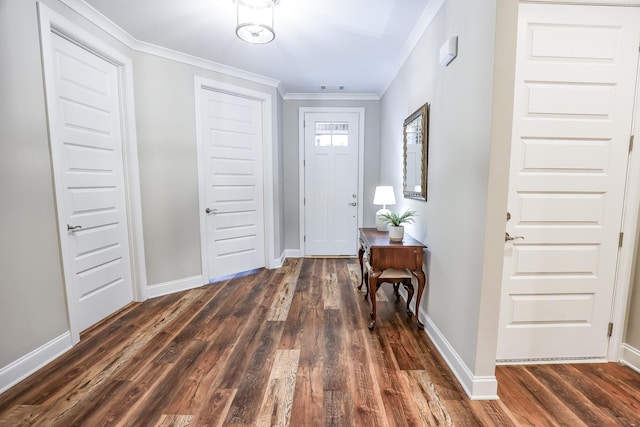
x=266, y=102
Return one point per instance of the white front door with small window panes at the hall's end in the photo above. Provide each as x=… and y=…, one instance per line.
x=331, y=183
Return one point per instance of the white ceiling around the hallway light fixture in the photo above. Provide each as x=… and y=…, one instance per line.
x=359, y=44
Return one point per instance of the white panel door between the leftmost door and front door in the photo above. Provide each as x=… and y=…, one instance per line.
x=232, y=138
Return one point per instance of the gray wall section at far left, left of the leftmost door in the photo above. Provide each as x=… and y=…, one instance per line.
x=32, y=302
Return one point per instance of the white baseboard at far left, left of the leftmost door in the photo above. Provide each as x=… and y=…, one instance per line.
x=20, y=369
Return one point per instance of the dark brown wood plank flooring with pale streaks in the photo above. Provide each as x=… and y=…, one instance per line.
x=290, y=347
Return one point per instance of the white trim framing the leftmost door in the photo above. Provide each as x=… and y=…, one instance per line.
x=53, y=23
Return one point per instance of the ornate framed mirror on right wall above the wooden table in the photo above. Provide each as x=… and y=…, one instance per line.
x=416, y=149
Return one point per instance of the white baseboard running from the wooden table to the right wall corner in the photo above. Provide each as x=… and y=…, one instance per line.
x=476, y=387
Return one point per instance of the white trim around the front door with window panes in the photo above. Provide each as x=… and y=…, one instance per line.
x=302, y=111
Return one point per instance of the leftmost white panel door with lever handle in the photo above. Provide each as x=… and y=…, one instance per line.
x=88, y=153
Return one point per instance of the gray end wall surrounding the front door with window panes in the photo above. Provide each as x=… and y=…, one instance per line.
x=291, y=146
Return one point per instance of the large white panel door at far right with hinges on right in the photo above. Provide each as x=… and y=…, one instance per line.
x=575, y=84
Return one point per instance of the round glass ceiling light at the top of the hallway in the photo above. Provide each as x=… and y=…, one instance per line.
x=255, y=20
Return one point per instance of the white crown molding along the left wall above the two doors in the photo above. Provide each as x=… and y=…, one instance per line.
x=111, y=28
